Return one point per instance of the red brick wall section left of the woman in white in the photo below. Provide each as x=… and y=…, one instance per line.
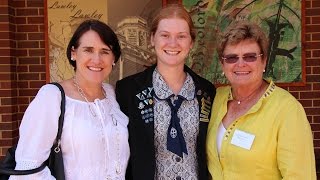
x=22, y=62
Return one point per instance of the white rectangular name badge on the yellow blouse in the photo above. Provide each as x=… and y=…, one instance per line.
x=242, y=139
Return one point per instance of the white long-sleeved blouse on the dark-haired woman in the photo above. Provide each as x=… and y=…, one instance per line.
x=91, y=146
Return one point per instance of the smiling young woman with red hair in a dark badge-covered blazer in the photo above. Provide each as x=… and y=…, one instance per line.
x=168, y=106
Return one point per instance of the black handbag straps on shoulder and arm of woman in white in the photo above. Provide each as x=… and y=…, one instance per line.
x=56, y=145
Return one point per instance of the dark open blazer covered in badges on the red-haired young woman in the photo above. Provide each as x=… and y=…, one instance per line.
x=134, y=95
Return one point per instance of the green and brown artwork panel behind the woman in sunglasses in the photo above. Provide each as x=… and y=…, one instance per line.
x=281, y=21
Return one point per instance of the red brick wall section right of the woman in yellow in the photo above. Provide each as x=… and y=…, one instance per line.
x=309, y=95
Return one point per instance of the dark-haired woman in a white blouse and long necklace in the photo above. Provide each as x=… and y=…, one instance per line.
x=94, y=137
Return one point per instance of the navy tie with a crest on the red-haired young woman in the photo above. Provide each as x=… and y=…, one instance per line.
x=175, y=140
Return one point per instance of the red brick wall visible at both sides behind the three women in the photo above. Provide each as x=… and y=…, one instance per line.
x=22, y=65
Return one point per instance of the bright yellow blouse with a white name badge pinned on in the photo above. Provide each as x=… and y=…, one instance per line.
x=282, y=145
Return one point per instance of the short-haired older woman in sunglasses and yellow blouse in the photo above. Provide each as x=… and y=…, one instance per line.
x=258, y=130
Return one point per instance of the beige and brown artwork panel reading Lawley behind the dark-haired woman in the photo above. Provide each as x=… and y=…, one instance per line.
x=129, y=19
